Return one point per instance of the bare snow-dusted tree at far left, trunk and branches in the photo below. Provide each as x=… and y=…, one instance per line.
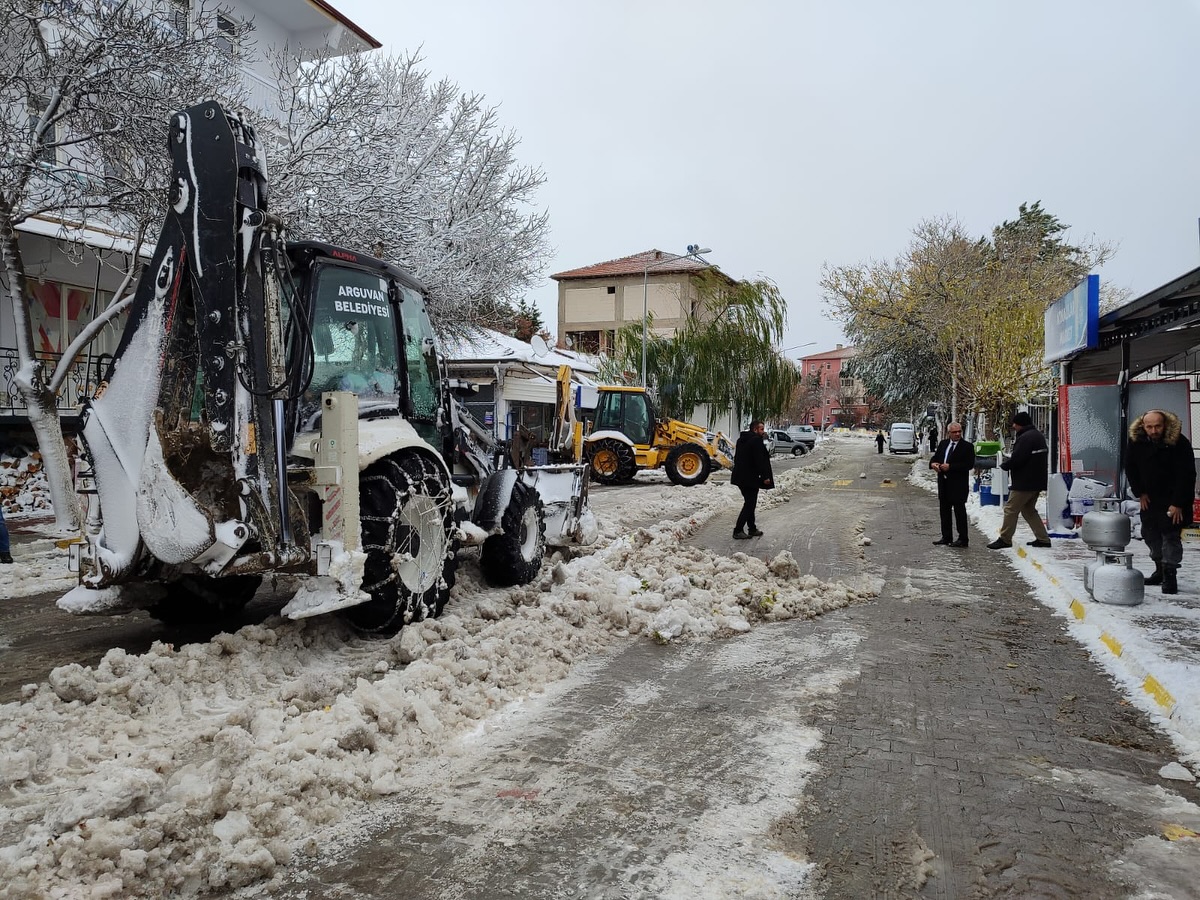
x=88, y=91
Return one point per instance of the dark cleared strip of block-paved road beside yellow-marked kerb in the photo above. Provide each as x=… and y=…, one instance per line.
x=982, y=752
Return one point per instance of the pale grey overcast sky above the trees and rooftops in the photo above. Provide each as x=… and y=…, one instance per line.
x=791, y=135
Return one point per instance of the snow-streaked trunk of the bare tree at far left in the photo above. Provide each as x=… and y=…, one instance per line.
x=44, y=415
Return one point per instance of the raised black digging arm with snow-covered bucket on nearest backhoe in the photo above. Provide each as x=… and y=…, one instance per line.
x=187, y=436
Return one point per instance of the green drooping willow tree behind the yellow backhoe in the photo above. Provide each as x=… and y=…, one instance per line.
x=725, y=356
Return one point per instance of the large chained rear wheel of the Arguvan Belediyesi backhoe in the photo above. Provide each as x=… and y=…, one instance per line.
x=406, y=513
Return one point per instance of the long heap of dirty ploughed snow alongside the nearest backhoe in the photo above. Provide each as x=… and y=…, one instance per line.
x=212, y=766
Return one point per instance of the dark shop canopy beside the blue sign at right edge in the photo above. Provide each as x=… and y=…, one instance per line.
x=1157, y=327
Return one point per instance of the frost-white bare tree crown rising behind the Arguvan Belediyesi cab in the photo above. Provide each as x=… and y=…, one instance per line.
x=370, y=153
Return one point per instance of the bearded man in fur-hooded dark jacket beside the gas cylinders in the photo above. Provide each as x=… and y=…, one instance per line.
x=1162, y=472
